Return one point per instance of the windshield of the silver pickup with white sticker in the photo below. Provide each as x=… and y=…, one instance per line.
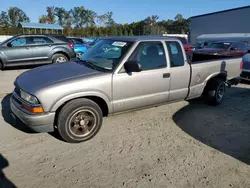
x=106, y=54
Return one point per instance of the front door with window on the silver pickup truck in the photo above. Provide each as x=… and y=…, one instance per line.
x=146, y=88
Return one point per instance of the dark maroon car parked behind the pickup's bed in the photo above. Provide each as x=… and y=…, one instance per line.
x=217, y=50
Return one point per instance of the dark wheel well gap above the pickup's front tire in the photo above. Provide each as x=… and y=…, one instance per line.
x=98, y=100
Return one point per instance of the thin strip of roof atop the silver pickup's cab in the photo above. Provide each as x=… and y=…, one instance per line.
x=138, y=38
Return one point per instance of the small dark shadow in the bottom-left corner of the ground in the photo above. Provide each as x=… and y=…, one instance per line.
x=4, y=182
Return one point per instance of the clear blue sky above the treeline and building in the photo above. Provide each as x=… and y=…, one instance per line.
x=127, y=11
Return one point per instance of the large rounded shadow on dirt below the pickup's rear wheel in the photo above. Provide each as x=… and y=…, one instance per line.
x=225, y=127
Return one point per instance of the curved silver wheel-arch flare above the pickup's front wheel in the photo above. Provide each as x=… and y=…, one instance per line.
x=69, y=97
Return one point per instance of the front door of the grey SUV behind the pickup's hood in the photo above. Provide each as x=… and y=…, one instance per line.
x=19, y=51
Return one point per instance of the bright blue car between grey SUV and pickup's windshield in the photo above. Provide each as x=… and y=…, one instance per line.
x=80, y=47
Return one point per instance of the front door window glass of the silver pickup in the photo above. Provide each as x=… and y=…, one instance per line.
x=150, y=55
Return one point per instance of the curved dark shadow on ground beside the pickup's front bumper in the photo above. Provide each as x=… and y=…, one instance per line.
x=10, y=119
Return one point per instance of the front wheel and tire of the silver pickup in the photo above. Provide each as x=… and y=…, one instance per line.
x=79, y=120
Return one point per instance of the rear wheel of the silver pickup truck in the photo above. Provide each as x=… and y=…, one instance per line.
x=216, y=92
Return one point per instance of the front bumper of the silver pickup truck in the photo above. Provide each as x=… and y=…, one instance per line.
x=39, y=123
